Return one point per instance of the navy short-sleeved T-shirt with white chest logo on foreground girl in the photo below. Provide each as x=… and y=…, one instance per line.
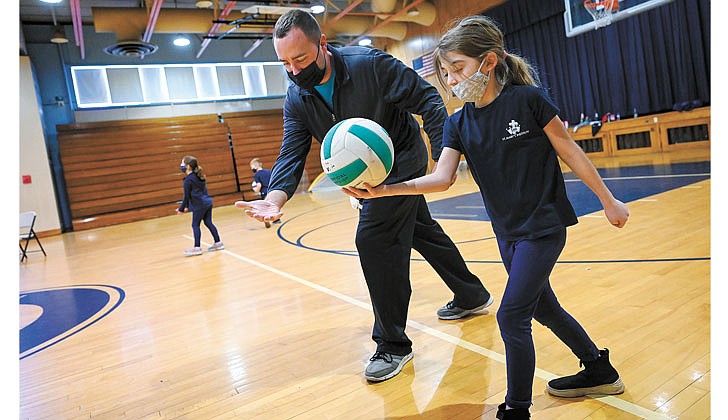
x=513, y=162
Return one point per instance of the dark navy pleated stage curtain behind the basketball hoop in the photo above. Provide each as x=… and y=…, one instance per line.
x=651, y=61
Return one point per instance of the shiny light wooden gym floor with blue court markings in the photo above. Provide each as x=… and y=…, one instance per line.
x=116, y=323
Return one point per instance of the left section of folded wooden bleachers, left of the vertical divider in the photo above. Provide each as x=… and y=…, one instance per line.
x=122, y=166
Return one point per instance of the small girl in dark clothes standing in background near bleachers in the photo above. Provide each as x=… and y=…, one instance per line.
x=199, y=202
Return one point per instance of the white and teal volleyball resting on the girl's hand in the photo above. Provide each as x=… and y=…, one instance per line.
x=355, y=151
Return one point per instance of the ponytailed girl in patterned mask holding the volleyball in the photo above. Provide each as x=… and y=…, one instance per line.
x=510, y=134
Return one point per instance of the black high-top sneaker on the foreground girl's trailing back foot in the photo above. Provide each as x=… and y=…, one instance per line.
x=598, y=377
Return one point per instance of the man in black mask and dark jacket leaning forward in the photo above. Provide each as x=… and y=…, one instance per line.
x=330, y=85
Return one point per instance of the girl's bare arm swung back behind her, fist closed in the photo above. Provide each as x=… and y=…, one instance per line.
x=576, y=159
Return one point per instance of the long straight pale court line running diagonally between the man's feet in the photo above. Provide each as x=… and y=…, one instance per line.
x=610, y=400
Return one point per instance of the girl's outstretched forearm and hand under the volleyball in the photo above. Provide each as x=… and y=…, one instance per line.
x=440, y=180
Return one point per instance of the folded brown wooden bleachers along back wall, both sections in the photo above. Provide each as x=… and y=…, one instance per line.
x=123, y=171
